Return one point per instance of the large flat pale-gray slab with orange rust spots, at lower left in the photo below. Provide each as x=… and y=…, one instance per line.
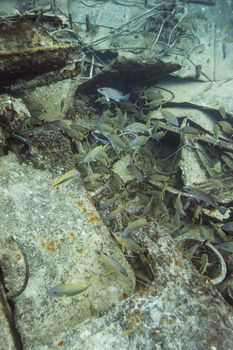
x=62, y=235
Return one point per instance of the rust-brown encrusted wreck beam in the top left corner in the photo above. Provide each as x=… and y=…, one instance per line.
x=28, y=50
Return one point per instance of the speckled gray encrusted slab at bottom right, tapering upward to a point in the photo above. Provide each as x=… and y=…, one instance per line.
x=177, y=312
